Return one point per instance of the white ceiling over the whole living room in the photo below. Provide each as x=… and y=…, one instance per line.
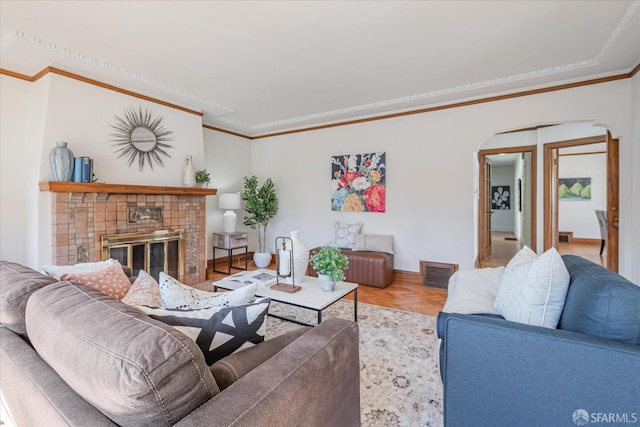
x=260, y=67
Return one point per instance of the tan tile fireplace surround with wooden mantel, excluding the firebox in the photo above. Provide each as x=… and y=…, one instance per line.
x=81, y=213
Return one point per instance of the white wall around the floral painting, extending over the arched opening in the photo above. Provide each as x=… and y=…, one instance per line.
x=431, y=170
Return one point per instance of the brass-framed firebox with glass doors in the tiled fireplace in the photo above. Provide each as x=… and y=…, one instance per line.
x=152, y=252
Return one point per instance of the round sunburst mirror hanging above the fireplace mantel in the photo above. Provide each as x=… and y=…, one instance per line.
x=141, y=137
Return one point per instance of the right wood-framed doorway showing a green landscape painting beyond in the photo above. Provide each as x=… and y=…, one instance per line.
x=559, y=200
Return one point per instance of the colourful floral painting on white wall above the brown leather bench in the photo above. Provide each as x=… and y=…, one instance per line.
x=358, y=182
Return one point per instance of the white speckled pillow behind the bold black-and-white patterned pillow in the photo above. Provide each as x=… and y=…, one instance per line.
x=176, y=295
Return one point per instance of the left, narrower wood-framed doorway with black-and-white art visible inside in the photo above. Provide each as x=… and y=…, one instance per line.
x=507, y=203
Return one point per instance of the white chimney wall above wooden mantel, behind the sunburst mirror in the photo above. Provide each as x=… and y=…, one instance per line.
x=81, y=114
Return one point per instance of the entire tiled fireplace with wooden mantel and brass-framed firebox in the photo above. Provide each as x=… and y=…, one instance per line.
x=146, y=227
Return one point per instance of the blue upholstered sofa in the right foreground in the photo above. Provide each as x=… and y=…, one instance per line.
x=501, y=373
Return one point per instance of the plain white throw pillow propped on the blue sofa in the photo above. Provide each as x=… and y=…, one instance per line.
x=533, y=289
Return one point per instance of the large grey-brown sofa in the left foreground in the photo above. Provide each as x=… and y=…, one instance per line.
x=71, y=355
